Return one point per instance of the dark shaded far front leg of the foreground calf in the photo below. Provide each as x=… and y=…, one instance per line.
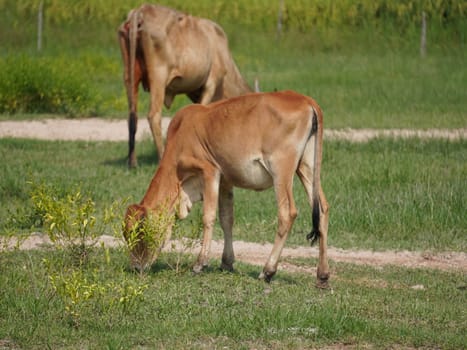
x=226, y=221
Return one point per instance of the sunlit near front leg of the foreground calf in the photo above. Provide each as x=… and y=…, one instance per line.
x=210, y=196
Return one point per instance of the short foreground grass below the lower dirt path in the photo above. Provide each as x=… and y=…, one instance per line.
x=367, y=307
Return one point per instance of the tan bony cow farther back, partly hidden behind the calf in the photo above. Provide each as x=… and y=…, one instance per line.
x=172, y=53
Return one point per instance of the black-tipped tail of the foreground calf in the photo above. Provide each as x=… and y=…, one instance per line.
x=317, y=132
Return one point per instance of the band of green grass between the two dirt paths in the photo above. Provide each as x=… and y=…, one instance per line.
x=385, y=194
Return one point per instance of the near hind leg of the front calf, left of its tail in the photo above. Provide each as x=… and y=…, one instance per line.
x=287, y=212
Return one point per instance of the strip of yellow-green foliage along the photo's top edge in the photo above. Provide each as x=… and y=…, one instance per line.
x=297, y=14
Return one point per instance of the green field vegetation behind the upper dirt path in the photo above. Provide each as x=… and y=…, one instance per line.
x=359, y=59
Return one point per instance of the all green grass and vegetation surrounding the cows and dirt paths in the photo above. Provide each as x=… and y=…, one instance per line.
x=361, y=60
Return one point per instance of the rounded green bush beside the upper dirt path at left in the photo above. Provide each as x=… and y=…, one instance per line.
x=44, y=85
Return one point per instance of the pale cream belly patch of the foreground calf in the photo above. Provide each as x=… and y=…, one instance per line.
x=251, y=175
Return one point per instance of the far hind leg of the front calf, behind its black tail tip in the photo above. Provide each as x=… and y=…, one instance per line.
x=305, y=173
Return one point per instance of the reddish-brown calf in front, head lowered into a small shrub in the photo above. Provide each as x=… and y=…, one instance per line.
x=254, y=141
